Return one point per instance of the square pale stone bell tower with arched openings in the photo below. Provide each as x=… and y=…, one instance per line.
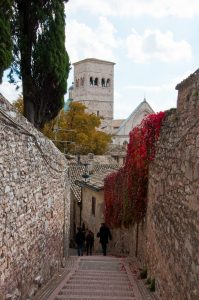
x=93, y=87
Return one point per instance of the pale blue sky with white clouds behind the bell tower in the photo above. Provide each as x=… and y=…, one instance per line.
x=153, y=43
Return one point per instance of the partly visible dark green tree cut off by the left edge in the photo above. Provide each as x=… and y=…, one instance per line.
x=5, y=36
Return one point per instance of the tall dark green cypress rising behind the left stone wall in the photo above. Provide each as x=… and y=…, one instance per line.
x=40, y=58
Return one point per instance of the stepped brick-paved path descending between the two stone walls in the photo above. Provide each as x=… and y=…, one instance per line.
x=98, y=278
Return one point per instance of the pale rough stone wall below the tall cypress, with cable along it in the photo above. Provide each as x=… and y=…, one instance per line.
x=34, y=206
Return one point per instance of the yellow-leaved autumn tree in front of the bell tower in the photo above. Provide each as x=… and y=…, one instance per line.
x=75, y=131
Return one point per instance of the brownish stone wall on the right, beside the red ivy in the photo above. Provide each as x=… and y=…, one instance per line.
x=173, y=207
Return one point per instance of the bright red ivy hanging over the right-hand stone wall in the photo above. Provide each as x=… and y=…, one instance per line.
x=125, y=191
